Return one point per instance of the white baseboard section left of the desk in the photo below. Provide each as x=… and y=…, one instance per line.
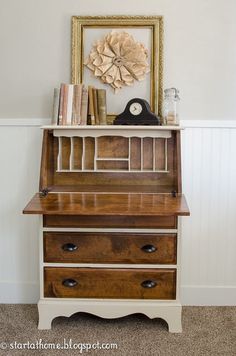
x=19, y=292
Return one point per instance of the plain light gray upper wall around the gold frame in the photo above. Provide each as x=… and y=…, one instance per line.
x=200, y=52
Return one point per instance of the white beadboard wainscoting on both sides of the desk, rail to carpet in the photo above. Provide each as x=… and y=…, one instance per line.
x=208, y=235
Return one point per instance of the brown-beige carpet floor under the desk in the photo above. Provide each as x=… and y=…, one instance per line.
x=207, y=331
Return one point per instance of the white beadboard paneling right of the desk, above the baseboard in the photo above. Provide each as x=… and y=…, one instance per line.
x=208, y=236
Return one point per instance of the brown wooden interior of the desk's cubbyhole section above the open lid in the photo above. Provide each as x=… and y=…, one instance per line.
x=109, y=147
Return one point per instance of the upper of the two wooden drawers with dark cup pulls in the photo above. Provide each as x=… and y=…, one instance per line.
x=76, y=247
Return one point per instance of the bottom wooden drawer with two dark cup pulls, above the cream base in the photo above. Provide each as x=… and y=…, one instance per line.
x=109, y=283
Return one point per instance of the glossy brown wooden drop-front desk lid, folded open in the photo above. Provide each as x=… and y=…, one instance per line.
x=100, y=204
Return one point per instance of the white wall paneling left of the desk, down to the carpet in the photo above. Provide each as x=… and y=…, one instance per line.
x=20, y=149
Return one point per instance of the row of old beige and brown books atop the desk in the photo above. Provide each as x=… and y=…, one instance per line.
x=75, y=104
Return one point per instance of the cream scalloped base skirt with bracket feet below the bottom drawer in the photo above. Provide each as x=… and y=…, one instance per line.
x=110, y=309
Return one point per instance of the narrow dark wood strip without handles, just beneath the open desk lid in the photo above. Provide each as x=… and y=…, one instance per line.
x=151, y=222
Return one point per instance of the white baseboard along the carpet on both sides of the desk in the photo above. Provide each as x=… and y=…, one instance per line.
x=28, y=293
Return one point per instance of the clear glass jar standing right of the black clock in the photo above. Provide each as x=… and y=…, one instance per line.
x=171, y=107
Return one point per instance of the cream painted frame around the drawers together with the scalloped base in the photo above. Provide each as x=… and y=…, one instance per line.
x=50, y=308
